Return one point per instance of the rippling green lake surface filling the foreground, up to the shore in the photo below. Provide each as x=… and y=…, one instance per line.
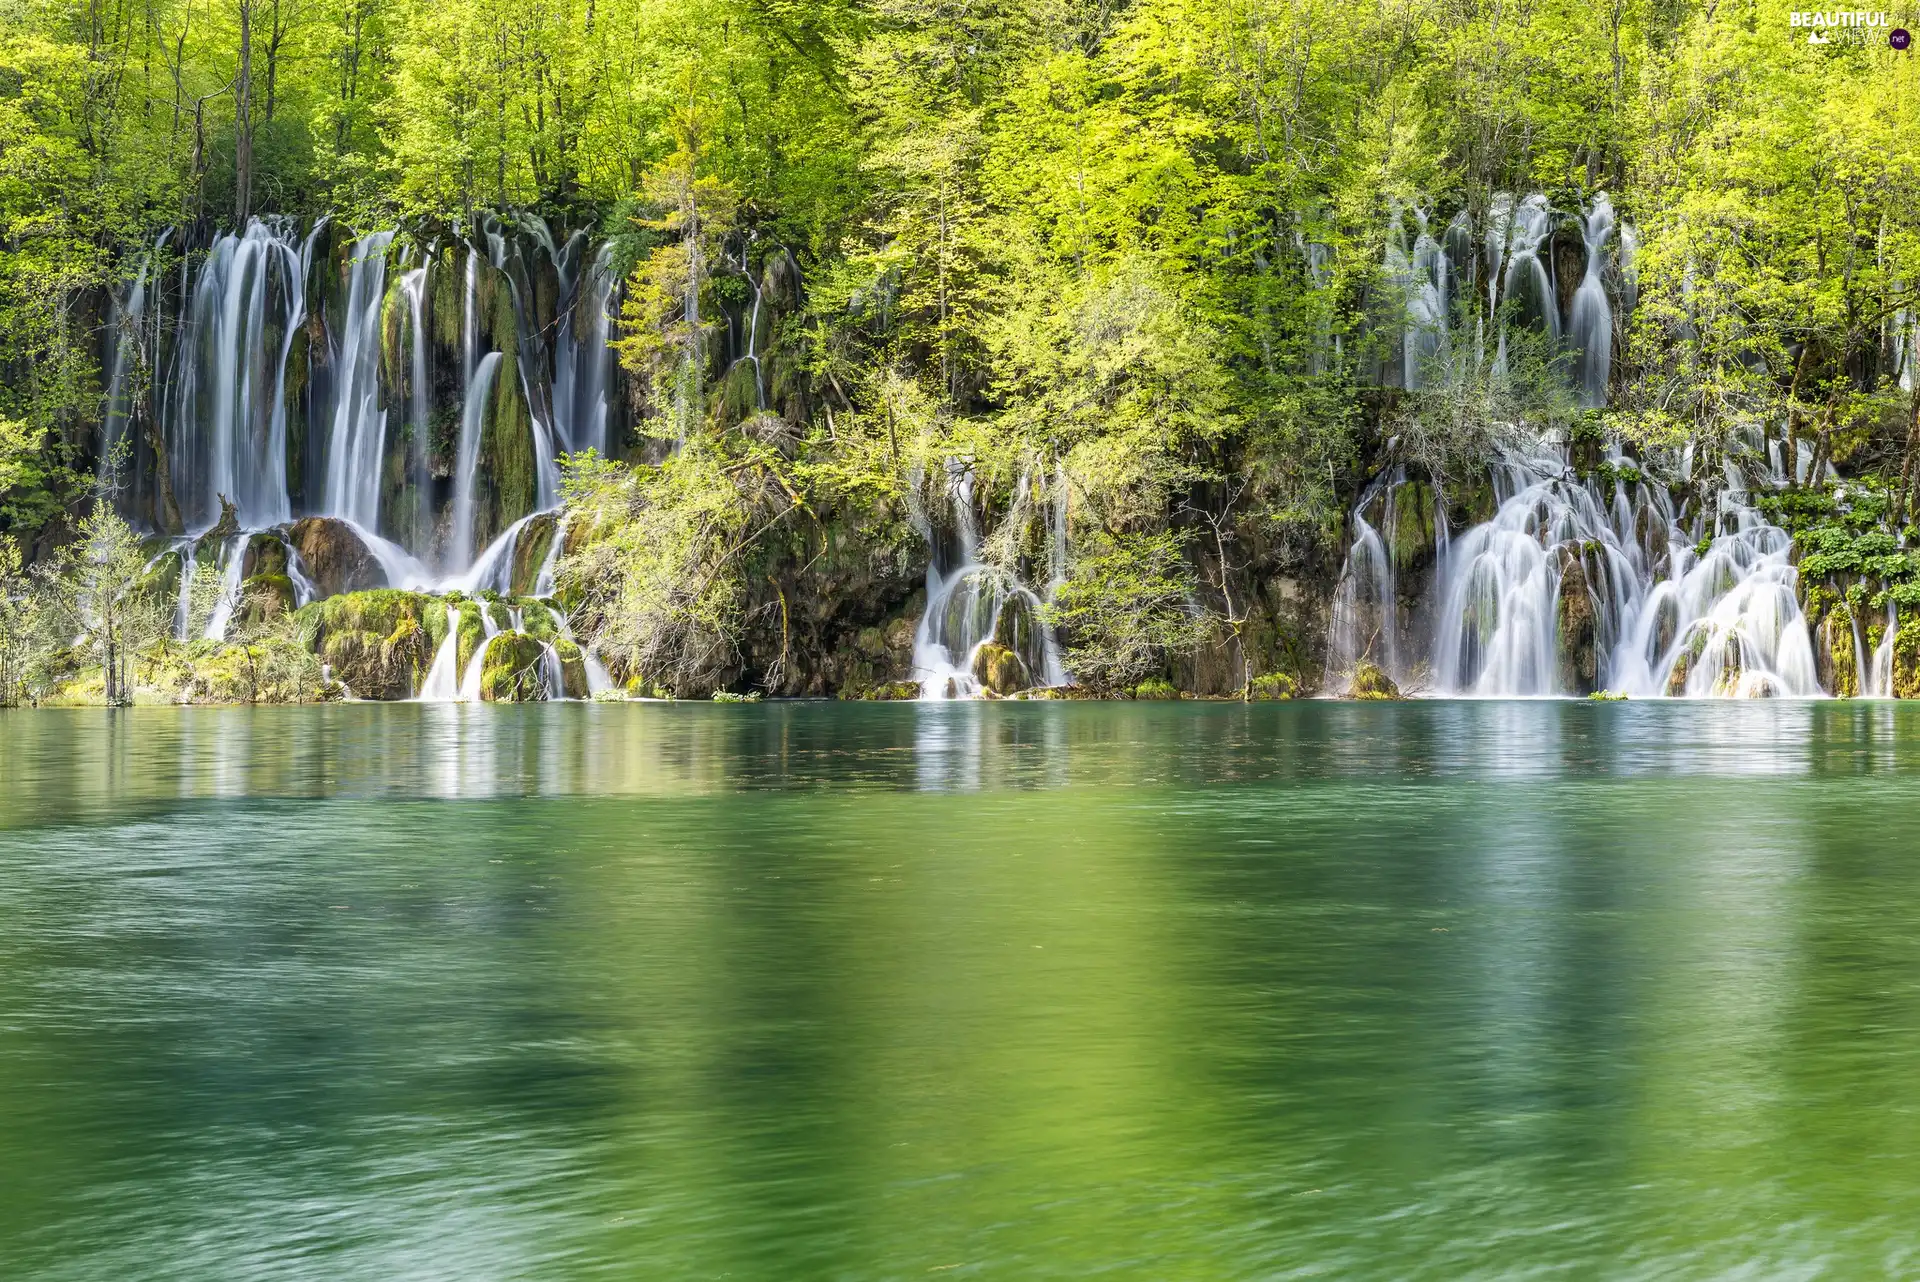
x=963, y=991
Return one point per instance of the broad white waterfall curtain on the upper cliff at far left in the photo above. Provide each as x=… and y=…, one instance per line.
x=226, y=419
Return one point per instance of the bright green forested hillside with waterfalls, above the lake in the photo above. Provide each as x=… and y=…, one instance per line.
x=1116, y=348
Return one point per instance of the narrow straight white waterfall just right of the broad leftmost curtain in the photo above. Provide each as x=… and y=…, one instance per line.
x=358, y=442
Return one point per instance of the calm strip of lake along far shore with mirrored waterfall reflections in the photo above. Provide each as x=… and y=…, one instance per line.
x=72, y=761
